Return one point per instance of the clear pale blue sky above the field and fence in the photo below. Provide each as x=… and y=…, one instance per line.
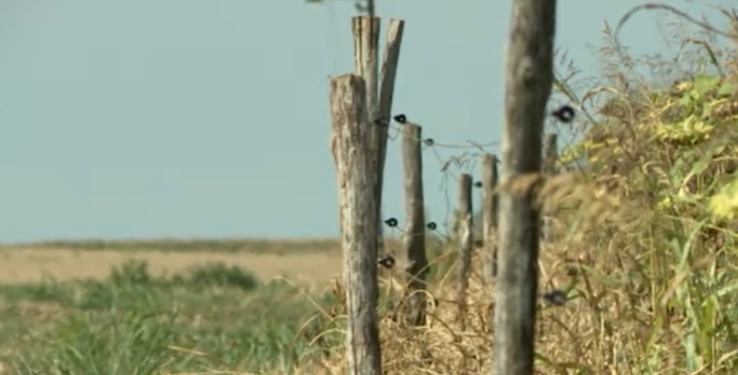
x=209, y=118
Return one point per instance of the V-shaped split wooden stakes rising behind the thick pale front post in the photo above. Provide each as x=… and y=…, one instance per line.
x=379, y=94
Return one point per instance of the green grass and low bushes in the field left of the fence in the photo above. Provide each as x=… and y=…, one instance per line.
x=209, y=318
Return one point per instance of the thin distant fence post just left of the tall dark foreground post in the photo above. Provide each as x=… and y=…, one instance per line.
x=489, y=215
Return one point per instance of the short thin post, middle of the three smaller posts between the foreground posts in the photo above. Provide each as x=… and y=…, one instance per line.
x=465, y=239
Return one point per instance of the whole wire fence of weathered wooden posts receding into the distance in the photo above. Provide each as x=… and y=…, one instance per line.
x=361, y=123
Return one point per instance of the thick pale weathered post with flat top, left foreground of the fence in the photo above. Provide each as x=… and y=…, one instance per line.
x=356, y=174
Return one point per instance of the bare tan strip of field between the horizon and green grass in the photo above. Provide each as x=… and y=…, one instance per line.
x=32, y=265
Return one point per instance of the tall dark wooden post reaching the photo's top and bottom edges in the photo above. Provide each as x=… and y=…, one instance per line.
x=528, y=81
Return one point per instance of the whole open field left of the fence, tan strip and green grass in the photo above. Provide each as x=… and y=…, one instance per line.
x=69, y=308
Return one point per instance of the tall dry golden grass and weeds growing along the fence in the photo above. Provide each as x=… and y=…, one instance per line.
x=647, y=261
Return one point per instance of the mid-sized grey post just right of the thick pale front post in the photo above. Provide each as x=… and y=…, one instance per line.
x=416, y=269
